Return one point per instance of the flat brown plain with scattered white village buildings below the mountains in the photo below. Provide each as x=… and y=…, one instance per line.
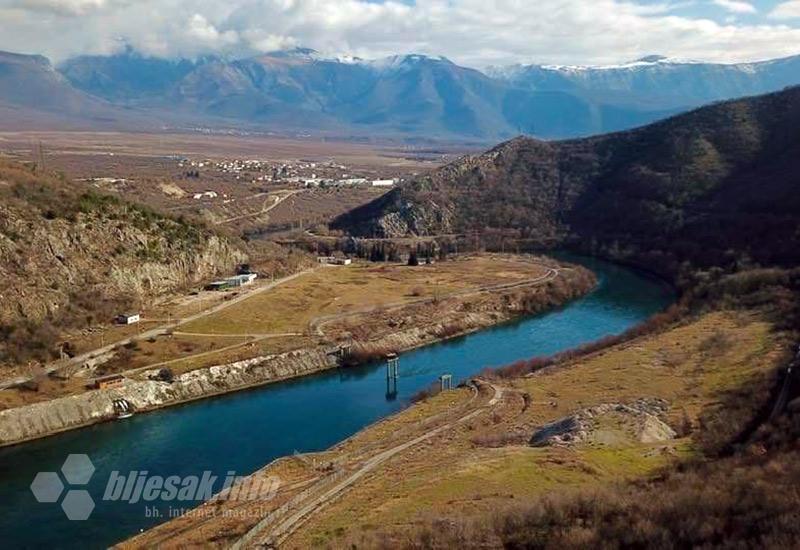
x=159, y=170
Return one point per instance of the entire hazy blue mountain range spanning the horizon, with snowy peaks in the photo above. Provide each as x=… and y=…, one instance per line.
x=412, y=96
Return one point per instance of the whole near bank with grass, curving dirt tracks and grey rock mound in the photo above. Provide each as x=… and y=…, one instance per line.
x=620, y=414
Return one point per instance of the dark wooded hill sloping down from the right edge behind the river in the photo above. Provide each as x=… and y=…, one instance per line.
x=714, y=186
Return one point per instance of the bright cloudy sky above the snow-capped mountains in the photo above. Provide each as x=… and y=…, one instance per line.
x=475, y=33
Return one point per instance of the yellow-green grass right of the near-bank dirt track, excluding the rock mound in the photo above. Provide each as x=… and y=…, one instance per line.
x=456, y=474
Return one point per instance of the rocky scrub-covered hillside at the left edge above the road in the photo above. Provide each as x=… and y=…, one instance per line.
x=70, y=256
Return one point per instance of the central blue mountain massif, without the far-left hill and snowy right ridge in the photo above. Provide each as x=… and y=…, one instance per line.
x=300, y=89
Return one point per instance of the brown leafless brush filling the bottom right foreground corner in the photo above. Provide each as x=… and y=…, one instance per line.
x=744, y=501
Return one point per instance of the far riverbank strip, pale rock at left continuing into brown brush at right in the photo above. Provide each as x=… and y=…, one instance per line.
x=393, y=328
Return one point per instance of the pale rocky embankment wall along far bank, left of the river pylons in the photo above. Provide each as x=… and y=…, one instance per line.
x=47, y=418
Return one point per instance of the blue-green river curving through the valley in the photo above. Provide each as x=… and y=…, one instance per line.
x=243, y=431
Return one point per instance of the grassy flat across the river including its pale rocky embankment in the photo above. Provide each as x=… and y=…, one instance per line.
x=291, y=329
